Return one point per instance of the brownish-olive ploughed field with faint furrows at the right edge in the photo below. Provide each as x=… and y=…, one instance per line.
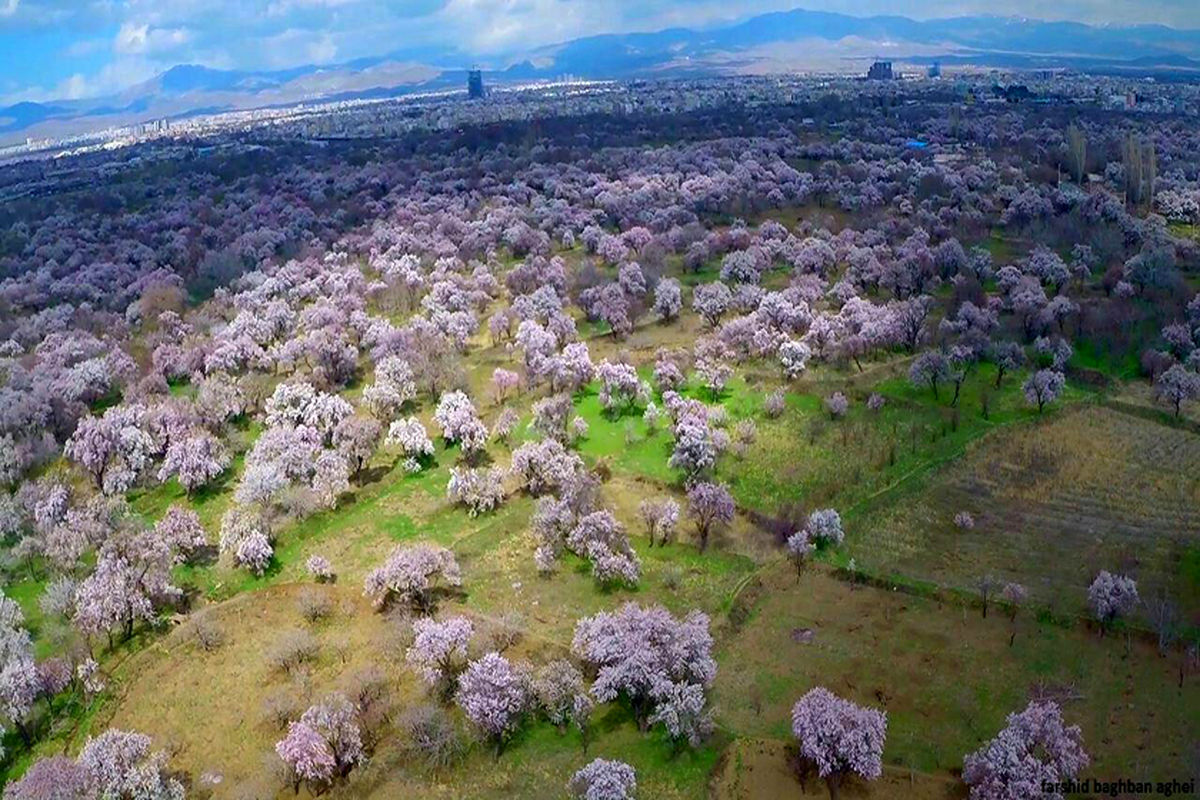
x=1091, y=490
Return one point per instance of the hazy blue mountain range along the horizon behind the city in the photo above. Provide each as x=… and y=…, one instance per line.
x=767, y=44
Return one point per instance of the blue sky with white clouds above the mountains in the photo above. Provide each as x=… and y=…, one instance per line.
x=86, y=49
